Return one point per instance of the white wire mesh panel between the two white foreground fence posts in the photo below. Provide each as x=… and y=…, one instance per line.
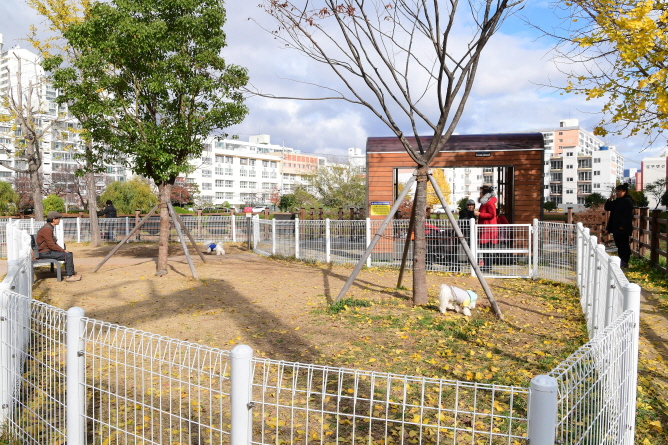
x=144, y=388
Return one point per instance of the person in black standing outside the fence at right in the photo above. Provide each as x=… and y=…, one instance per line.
x=620, y=222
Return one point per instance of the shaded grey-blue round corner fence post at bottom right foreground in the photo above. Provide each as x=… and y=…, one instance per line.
x=542, y=411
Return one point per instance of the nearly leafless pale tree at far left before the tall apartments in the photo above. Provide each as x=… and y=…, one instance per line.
x=25, y=111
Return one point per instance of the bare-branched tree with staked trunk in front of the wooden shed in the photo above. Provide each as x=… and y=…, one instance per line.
x=410, y=62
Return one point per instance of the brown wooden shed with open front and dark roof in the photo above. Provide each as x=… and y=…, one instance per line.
x=517, y=158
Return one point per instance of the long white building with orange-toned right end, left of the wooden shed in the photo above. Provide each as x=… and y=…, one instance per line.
x=249, y=173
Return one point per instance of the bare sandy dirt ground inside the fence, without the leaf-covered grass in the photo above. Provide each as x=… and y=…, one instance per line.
x=244, y=298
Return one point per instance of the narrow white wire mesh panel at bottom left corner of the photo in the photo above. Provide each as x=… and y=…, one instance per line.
x=32, y=354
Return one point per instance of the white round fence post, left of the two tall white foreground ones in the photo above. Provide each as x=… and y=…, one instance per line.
x=76, y=368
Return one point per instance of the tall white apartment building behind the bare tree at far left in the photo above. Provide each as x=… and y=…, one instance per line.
x=60, y=139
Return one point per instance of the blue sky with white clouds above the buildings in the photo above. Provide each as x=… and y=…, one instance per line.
x=507, y=95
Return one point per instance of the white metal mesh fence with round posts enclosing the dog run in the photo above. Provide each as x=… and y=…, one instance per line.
x=68, y=378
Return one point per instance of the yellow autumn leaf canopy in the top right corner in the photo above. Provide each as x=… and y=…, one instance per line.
x=617, y=50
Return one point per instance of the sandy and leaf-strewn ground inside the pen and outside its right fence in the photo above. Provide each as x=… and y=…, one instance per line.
x=280, y=308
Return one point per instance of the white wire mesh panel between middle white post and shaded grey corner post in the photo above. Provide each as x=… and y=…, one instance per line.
x=297, y=403
